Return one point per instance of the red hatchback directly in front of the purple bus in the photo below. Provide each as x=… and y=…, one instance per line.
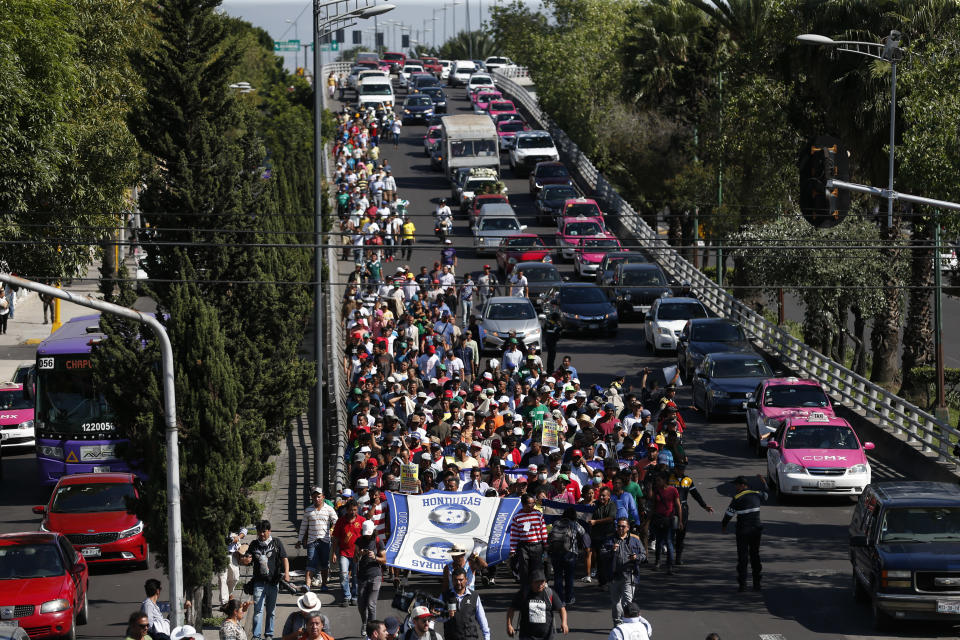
x=93, y=511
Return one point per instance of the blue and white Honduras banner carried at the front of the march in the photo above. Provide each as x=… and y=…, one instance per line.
x=423, y=528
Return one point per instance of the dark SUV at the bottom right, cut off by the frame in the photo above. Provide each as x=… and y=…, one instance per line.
x=905, y=551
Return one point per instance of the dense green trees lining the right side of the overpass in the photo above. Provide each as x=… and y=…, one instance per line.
x=697, y=106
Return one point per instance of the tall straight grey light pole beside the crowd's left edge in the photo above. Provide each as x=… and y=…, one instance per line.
x=325, y=16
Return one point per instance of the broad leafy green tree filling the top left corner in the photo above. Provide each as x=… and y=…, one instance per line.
x=65, y=89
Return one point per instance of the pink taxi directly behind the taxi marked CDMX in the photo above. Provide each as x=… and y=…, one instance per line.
x=776, y=399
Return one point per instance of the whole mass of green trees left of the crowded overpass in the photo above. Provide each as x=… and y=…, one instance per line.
x=100, y=96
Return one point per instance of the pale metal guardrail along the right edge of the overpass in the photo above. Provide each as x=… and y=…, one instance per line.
x=892, y=413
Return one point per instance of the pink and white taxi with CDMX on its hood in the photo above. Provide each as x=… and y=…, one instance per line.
x=817, y=454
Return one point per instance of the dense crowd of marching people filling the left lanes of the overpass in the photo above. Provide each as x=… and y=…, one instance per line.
x=600, y=471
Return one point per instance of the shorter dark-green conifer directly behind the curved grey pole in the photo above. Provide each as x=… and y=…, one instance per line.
x=127, y=368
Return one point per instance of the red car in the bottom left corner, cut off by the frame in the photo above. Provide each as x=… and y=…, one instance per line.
x=43, y=584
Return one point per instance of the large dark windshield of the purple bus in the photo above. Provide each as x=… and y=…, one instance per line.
x=67, y=402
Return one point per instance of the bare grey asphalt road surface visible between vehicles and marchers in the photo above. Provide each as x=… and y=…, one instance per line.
x=806, y=572
